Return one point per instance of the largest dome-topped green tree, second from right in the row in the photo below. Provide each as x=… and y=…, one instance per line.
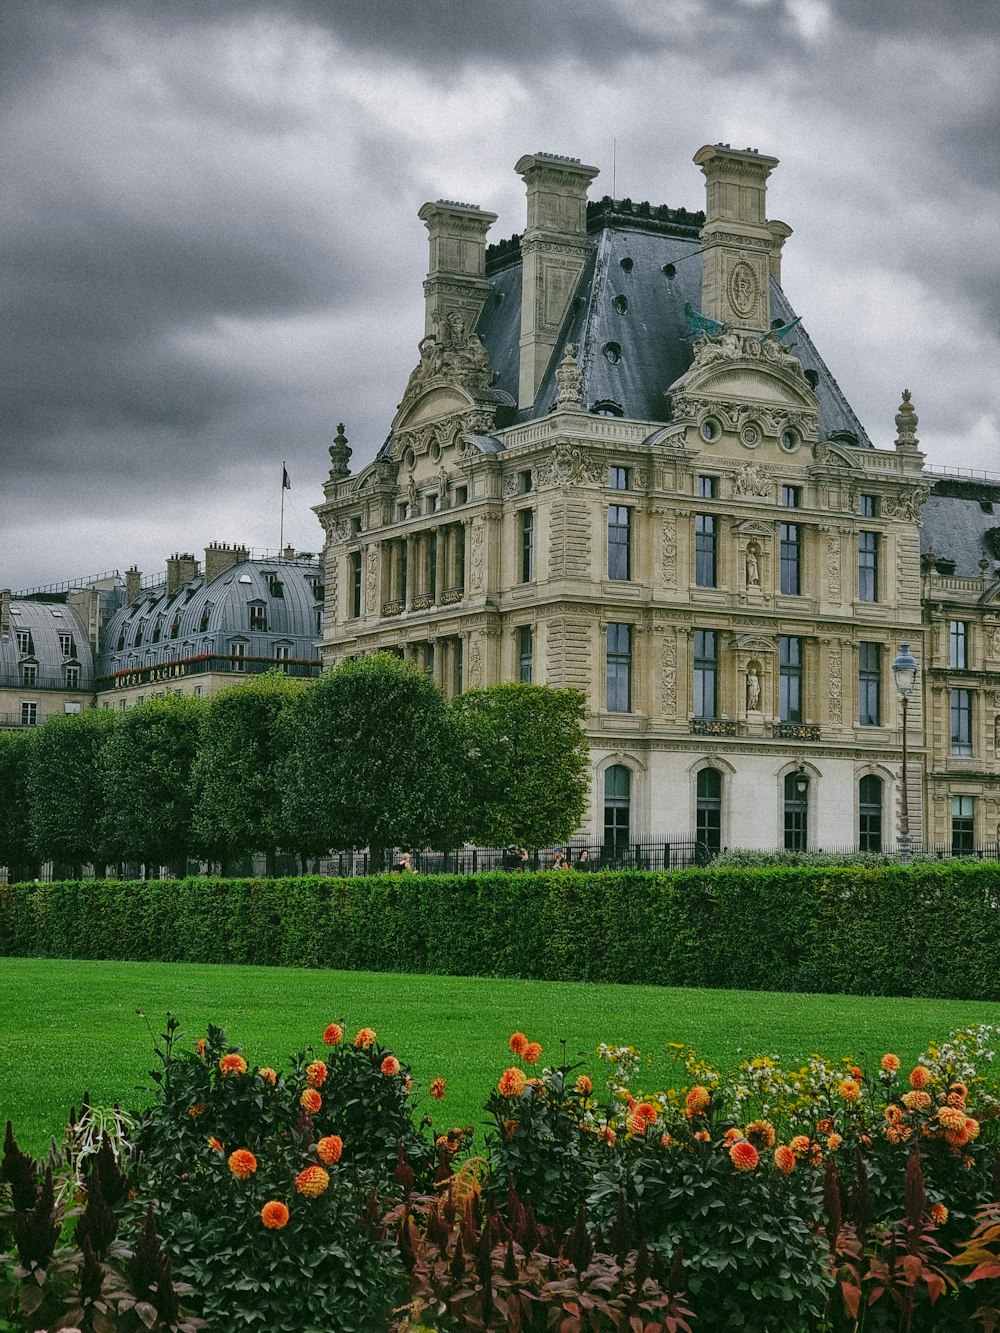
x=371, y=760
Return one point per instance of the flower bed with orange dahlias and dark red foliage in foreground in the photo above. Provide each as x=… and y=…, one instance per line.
x=830, y=1196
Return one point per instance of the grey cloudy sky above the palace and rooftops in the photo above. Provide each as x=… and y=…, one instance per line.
x=211, y=253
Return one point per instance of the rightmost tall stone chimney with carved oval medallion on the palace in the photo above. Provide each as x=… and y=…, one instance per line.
x=739, y=246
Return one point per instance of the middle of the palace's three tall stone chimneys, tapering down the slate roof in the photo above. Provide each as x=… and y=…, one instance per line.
x=554, y=251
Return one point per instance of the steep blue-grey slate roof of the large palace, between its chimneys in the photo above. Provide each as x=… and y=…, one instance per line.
x=627, y=322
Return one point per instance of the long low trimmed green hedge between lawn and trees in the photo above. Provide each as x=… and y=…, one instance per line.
x=918, y=931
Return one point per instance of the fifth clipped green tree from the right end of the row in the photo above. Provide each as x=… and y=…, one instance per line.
x=66, y=792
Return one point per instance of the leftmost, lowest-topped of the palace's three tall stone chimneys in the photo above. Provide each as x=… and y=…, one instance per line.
x=457, y=277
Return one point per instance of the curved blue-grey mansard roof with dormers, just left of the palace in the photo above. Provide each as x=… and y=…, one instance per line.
x=206, y=618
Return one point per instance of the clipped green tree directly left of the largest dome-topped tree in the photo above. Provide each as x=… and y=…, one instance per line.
x=237, y=776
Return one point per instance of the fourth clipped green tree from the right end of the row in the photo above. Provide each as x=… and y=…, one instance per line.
x=147, y=775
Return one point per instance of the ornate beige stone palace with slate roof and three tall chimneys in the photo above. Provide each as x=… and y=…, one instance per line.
x=619, y=467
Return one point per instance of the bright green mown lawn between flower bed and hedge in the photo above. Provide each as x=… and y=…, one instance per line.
x=67, y=1027
